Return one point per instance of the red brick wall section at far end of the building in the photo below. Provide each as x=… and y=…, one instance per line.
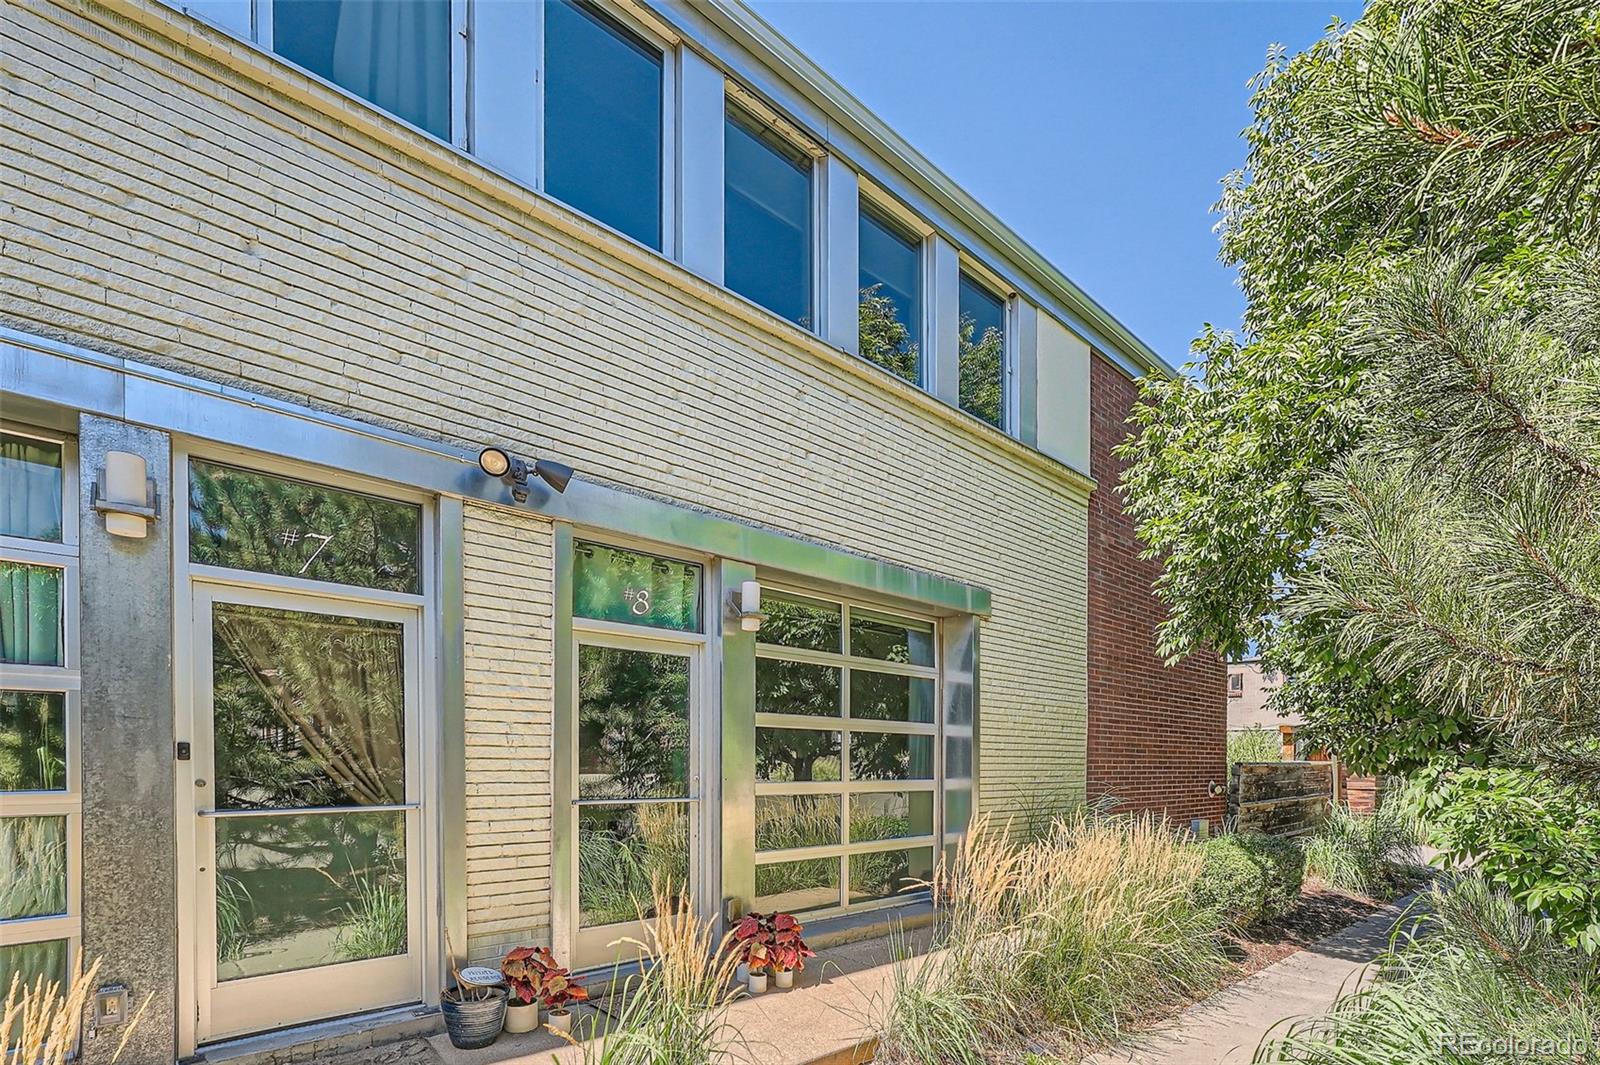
x=1158, y=735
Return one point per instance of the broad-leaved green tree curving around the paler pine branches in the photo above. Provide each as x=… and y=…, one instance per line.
x=1420, y=130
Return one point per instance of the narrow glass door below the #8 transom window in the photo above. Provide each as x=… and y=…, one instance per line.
x=638, y=788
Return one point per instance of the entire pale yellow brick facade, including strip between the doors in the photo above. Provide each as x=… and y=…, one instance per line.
x=204, y=209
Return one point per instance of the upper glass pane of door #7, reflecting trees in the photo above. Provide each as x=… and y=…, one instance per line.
x=310, y=709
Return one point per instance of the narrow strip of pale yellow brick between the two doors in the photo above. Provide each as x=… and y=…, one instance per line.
x=508, y=576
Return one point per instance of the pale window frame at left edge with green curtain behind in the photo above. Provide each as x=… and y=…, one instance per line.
x=66, y=680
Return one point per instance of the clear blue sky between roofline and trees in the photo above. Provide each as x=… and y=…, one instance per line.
x=1098, y=132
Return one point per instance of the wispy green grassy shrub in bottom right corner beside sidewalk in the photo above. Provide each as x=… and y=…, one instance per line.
x=1478, y=981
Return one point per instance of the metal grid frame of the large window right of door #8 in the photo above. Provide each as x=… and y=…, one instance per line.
x=846, y=725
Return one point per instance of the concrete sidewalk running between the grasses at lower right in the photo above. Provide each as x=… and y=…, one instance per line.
x=1228, y=1027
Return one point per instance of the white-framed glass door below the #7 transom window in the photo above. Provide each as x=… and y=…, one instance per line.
x=306, y=783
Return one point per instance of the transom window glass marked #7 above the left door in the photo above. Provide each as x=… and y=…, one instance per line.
x=247, y=521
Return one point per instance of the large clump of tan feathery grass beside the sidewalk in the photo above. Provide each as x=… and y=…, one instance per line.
x=1058, y=943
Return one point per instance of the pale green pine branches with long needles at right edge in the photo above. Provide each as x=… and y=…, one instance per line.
x=1463, y=536
